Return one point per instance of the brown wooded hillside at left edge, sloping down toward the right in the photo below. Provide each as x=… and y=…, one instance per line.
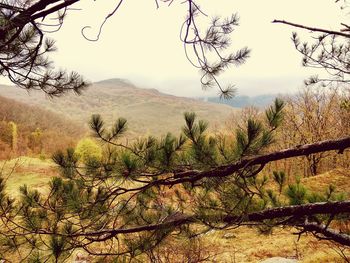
x=26, y=130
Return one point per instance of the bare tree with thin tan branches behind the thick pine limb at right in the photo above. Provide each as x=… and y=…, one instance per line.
x=313, y=115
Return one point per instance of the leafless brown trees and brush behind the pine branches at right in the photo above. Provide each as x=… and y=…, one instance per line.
x=310, y=116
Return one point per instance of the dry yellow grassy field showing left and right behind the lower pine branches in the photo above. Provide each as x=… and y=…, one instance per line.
x=243, y=245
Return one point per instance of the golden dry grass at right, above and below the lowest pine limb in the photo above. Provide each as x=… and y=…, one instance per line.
x=248, y=245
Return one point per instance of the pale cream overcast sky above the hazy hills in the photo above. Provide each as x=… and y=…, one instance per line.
x=141, y=43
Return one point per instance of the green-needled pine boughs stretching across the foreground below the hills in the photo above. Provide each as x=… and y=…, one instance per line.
x=132, y=199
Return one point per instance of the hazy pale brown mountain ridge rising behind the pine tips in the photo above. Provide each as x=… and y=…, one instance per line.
x=148, y=111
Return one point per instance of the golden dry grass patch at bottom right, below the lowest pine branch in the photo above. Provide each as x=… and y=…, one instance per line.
x=250, y=246
